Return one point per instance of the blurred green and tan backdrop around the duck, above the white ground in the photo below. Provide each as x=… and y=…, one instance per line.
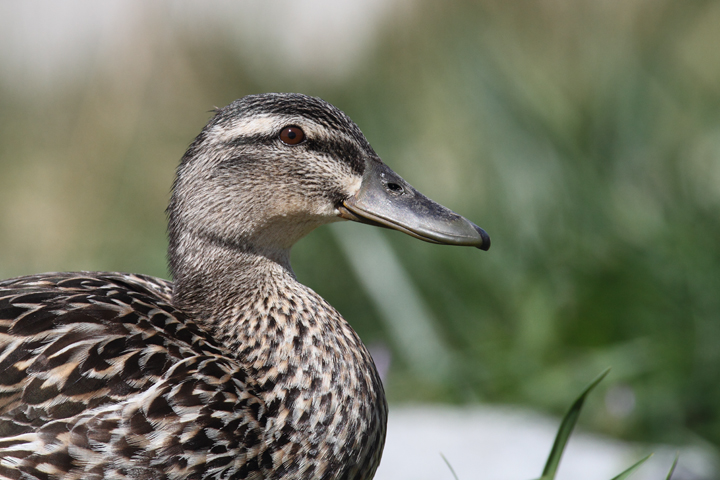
x=583, y=135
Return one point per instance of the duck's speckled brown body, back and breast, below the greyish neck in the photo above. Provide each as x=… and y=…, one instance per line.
x=104, y=379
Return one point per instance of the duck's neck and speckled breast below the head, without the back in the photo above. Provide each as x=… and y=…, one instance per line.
x=322, y=395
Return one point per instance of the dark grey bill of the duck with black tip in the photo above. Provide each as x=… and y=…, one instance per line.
x=386, y=200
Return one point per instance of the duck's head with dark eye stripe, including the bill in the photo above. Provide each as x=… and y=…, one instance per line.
x=267, y=169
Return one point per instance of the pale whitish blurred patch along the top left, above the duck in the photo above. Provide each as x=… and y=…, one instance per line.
x=44, y=44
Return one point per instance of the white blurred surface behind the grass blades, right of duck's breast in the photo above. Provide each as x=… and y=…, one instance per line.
x=495, y=443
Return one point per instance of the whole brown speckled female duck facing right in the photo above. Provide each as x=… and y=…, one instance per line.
x=234, y=370
